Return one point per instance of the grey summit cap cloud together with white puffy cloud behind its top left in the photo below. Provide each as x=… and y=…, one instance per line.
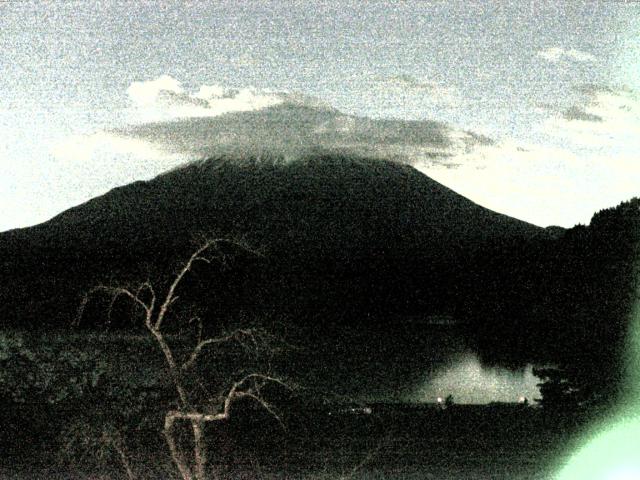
x=217, y=120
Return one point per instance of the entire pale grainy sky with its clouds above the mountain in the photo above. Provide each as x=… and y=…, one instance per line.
x=530, y=108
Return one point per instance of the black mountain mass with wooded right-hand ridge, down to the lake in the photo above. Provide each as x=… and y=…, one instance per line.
x=346, y=244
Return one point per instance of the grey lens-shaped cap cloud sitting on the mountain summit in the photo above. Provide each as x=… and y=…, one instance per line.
x=296, y=125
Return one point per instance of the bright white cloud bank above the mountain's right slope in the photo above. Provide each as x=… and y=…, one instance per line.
x=585, y=158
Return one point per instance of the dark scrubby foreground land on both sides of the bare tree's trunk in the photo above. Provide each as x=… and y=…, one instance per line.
x=78, y=405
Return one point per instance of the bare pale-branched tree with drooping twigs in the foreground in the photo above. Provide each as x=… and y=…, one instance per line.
x=155, y=309
